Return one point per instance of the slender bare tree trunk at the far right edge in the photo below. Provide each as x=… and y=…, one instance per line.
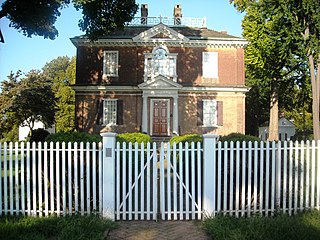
x=315, y=97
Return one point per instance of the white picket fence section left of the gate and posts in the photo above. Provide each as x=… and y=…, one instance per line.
x=42, y=179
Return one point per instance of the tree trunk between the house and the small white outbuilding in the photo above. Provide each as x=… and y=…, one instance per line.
x=273, y=120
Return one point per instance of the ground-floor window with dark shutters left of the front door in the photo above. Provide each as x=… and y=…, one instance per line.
x=109, y=112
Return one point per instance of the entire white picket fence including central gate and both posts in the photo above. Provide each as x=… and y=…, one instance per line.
x=178, y=182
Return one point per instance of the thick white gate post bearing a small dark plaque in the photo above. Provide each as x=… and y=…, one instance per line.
x=108, y=175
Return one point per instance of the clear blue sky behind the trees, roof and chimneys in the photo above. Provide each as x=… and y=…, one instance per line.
x=22, y=53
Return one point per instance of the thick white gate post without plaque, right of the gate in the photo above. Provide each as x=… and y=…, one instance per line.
x=209, y=173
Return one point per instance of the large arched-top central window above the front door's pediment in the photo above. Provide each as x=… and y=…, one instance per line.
x=160, y=62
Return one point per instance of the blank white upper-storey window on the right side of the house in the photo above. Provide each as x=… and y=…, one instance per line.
x=210, y=64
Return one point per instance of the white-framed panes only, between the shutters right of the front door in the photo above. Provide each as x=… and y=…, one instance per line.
x=210, y=113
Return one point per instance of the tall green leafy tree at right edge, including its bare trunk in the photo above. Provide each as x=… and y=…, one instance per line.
x=299, y=22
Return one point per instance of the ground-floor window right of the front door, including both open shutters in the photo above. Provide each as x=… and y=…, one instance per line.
x=209, y=113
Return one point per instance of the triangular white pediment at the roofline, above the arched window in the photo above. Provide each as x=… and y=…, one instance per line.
x=160, y=32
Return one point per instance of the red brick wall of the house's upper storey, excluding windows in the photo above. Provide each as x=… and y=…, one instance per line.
x=131, y=66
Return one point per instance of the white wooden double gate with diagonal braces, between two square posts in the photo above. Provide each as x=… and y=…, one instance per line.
x=156, y=183
